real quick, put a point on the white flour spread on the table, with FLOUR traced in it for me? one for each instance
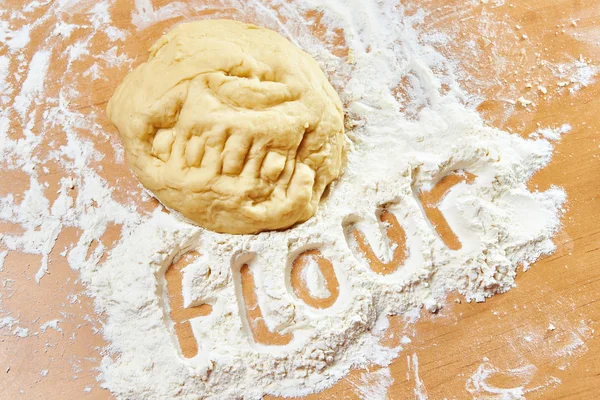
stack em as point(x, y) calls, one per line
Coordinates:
point(393, 154)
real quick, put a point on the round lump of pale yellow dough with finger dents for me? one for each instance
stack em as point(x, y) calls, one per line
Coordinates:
point(232, 126)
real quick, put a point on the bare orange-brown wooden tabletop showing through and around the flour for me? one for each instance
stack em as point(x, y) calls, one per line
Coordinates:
point(546, 325)
